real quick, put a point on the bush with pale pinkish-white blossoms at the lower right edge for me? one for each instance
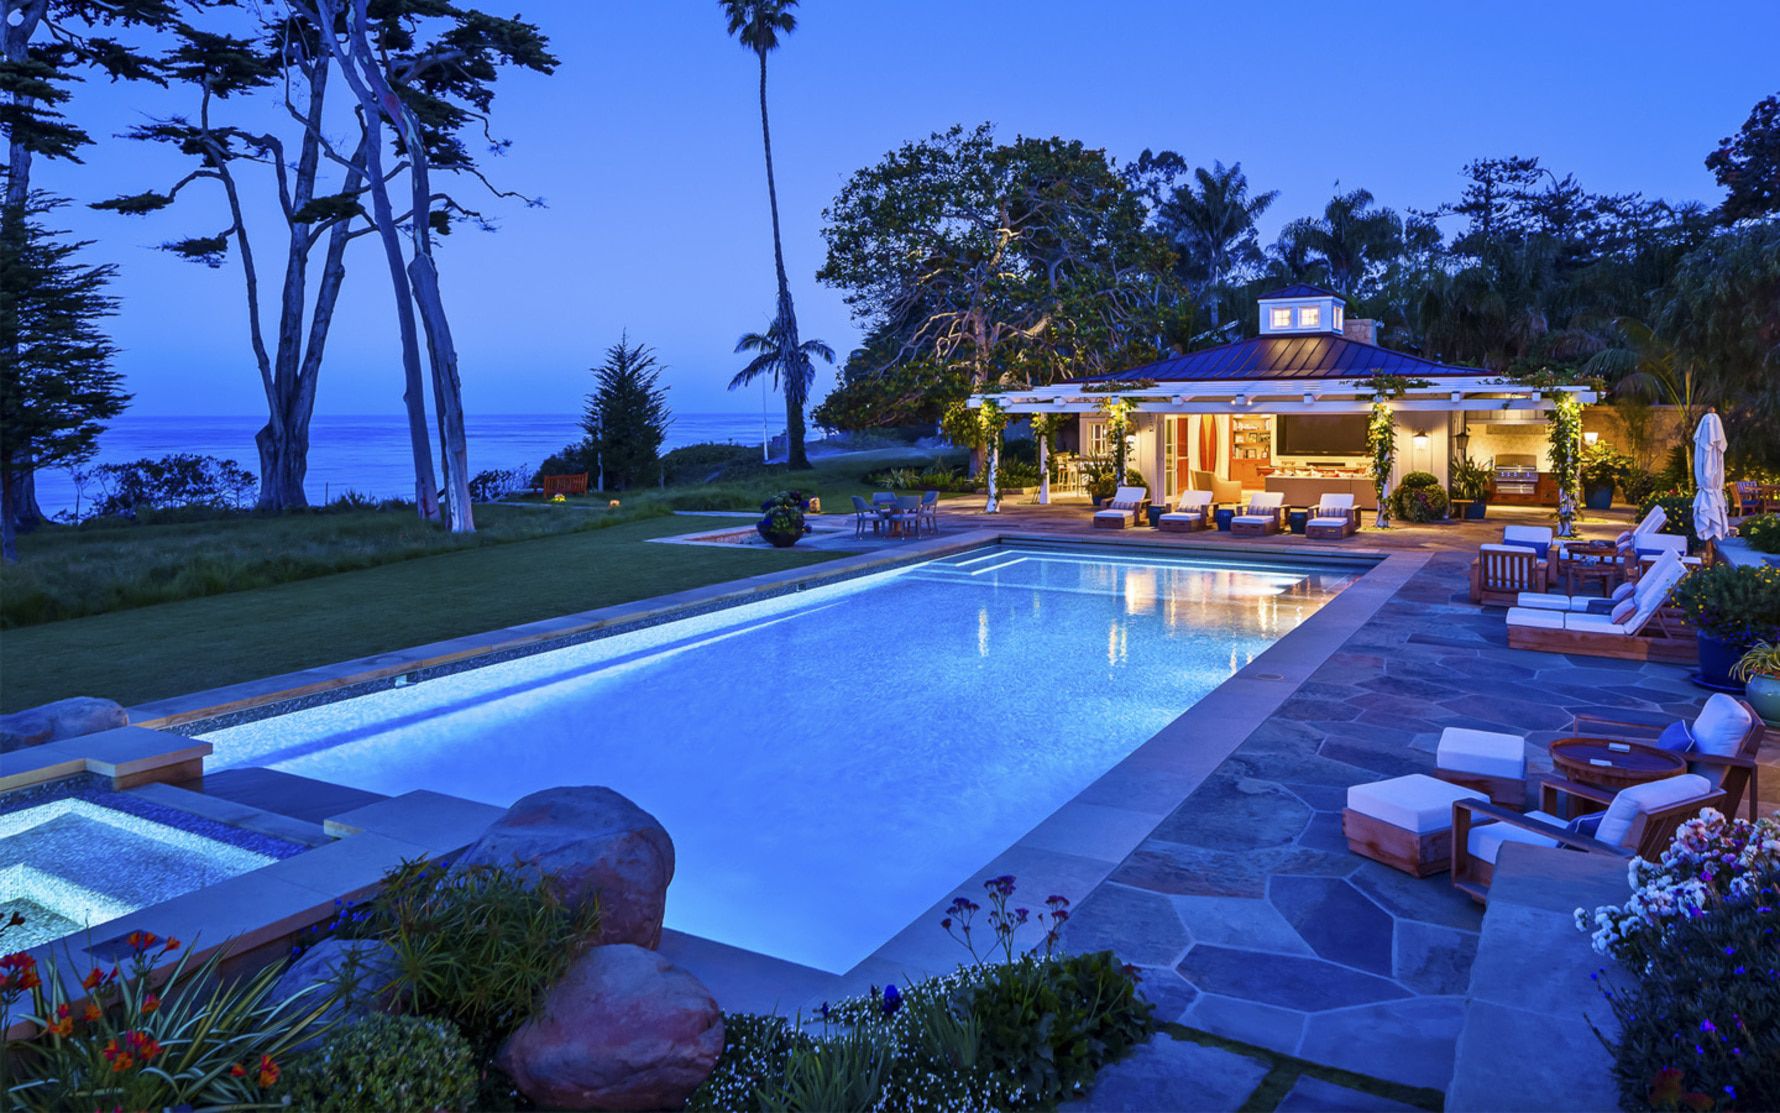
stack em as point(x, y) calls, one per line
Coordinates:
point(1701, 1027)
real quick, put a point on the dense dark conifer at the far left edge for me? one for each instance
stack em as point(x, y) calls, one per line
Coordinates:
point(58, 386)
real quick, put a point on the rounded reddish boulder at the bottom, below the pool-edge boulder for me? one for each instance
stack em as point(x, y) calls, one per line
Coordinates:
point(622, 1030)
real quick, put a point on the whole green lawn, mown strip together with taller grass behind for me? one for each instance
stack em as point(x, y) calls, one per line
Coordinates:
point(273, 605)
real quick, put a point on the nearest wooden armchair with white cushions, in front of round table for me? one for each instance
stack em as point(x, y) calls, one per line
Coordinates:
point(1637, 822)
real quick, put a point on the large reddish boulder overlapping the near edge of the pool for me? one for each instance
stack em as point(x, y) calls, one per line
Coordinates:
point(595, 847)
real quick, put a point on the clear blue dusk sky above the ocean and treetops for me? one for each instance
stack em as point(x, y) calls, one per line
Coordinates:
point(647, 149)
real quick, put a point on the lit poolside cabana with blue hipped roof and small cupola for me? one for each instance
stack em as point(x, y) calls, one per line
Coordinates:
point(1286, 410)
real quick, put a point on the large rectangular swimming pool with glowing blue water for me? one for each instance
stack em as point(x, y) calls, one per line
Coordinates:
point(830, 763)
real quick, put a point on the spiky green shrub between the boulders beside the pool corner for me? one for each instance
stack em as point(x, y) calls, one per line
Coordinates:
point(476, 946)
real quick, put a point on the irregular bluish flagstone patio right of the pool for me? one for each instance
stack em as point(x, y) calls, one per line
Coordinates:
point(1247, 911)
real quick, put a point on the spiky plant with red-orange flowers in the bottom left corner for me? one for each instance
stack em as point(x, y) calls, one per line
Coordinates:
point(129, 1039)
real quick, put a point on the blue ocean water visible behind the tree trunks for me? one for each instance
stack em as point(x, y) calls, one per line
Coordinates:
point(369, 453)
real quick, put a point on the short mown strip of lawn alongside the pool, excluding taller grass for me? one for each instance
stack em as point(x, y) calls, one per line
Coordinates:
point(172, 649)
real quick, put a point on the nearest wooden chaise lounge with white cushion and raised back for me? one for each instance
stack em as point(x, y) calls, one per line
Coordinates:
point(1637, 630)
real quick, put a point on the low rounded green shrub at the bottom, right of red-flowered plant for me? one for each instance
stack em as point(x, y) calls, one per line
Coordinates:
point(398, 1064)
